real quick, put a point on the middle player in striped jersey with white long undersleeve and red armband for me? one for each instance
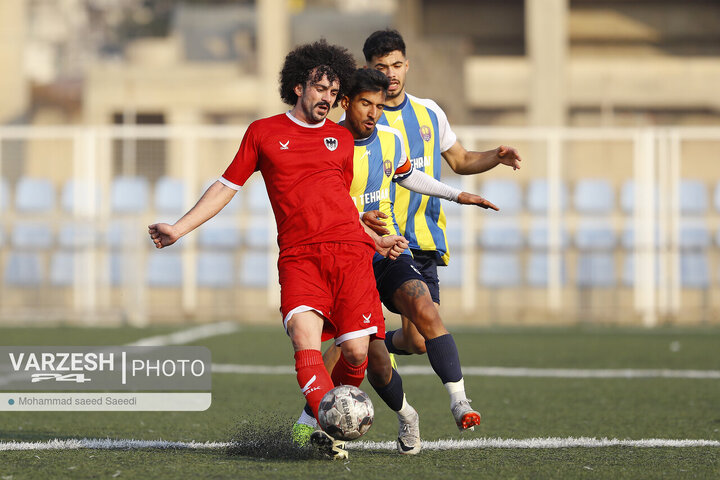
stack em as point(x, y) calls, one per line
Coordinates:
point(379, 164)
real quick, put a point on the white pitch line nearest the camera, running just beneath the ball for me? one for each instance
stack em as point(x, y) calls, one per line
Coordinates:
point(509, 443)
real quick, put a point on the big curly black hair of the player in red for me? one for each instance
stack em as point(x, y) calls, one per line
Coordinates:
point(322, 58)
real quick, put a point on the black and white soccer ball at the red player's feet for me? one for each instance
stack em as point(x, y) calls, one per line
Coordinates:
point(345, 413)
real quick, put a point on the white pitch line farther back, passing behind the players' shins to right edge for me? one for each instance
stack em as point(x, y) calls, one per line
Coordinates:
point(499, 372)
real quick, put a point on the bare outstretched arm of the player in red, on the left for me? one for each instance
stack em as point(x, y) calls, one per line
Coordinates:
point(213, 200)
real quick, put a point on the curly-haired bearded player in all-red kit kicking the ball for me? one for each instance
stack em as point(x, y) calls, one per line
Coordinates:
point(325, 263)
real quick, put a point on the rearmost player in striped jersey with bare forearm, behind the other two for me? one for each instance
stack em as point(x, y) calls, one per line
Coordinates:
point(428, 140)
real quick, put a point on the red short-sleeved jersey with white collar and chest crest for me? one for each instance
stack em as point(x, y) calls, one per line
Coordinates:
point(307, 170)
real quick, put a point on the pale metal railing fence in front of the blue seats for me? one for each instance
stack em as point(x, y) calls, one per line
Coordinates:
point(655, 159)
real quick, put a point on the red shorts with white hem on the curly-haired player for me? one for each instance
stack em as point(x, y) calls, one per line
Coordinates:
point(337, 281)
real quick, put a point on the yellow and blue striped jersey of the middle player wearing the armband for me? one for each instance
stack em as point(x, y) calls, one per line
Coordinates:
point(379, 161)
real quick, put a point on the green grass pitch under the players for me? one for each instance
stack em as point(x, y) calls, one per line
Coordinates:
point(512, 408)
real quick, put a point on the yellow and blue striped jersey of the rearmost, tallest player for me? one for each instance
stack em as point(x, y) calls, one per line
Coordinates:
point(427, 134)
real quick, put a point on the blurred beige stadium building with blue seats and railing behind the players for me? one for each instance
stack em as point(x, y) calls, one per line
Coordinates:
point(119, 112)
